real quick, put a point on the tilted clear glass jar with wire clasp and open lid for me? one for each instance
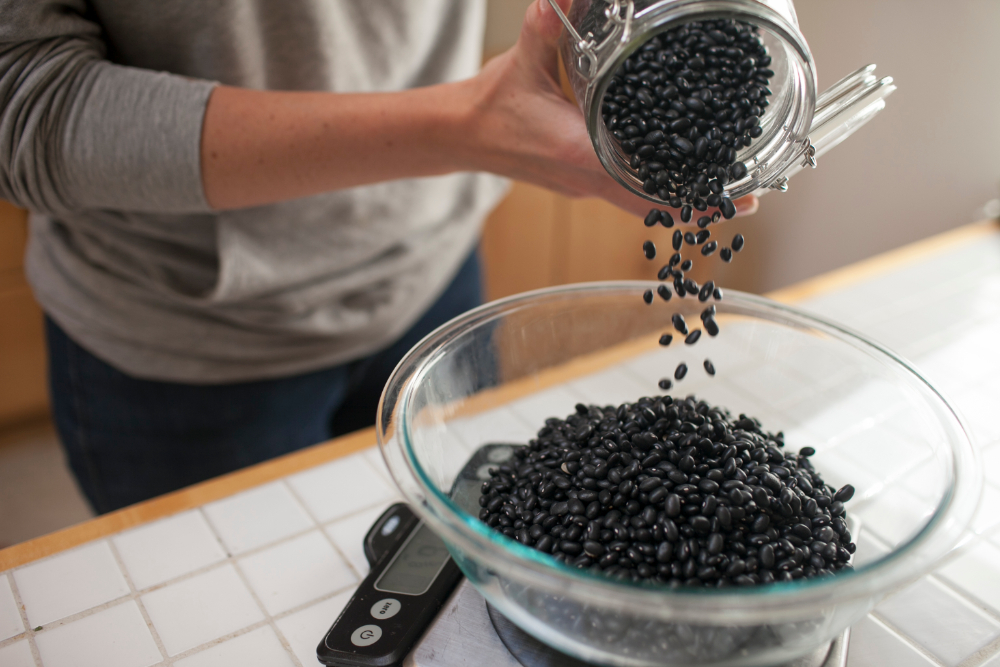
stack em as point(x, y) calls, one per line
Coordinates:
point(797, 126)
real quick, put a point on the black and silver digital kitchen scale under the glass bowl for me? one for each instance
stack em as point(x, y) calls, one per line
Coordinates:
point(411, 591)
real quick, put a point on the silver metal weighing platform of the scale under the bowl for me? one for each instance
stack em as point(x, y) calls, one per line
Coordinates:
point(465, 633)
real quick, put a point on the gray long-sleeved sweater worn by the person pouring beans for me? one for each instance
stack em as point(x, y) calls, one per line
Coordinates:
point(103, 102)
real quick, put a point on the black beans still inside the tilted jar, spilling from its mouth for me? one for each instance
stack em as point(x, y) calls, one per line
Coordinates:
point(684, 104)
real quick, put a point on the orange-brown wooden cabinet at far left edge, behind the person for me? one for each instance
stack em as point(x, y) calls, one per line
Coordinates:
point(23, 392)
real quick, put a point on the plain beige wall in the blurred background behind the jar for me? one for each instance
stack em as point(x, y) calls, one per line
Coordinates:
point(928, 163)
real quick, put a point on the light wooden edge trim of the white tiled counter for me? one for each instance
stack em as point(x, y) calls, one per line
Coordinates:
point(268, 471)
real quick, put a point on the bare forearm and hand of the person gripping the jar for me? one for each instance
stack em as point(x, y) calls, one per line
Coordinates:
point(512, 119)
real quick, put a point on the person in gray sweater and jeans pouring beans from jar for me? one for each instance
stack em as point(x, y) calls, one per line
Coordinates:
point(244, 214)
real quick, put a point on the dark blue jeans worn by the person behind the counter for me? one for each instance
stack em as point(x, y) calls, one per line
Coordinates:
point(129, 439)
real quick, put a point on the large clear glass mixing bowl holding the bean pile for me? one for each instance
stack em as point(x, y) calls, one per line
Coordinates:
point(495, 373)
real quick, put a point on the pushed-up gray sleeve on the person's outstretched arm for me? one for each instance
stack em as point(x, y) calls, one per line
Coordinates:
point(79, 132)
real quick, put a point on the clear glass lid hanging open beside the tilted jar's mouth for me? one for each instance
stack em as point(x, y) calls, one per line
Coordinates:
point(840, 111)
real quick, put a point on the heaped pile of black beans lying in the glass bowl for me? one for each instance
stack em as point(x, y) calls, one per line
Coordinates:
point(670, 491)
